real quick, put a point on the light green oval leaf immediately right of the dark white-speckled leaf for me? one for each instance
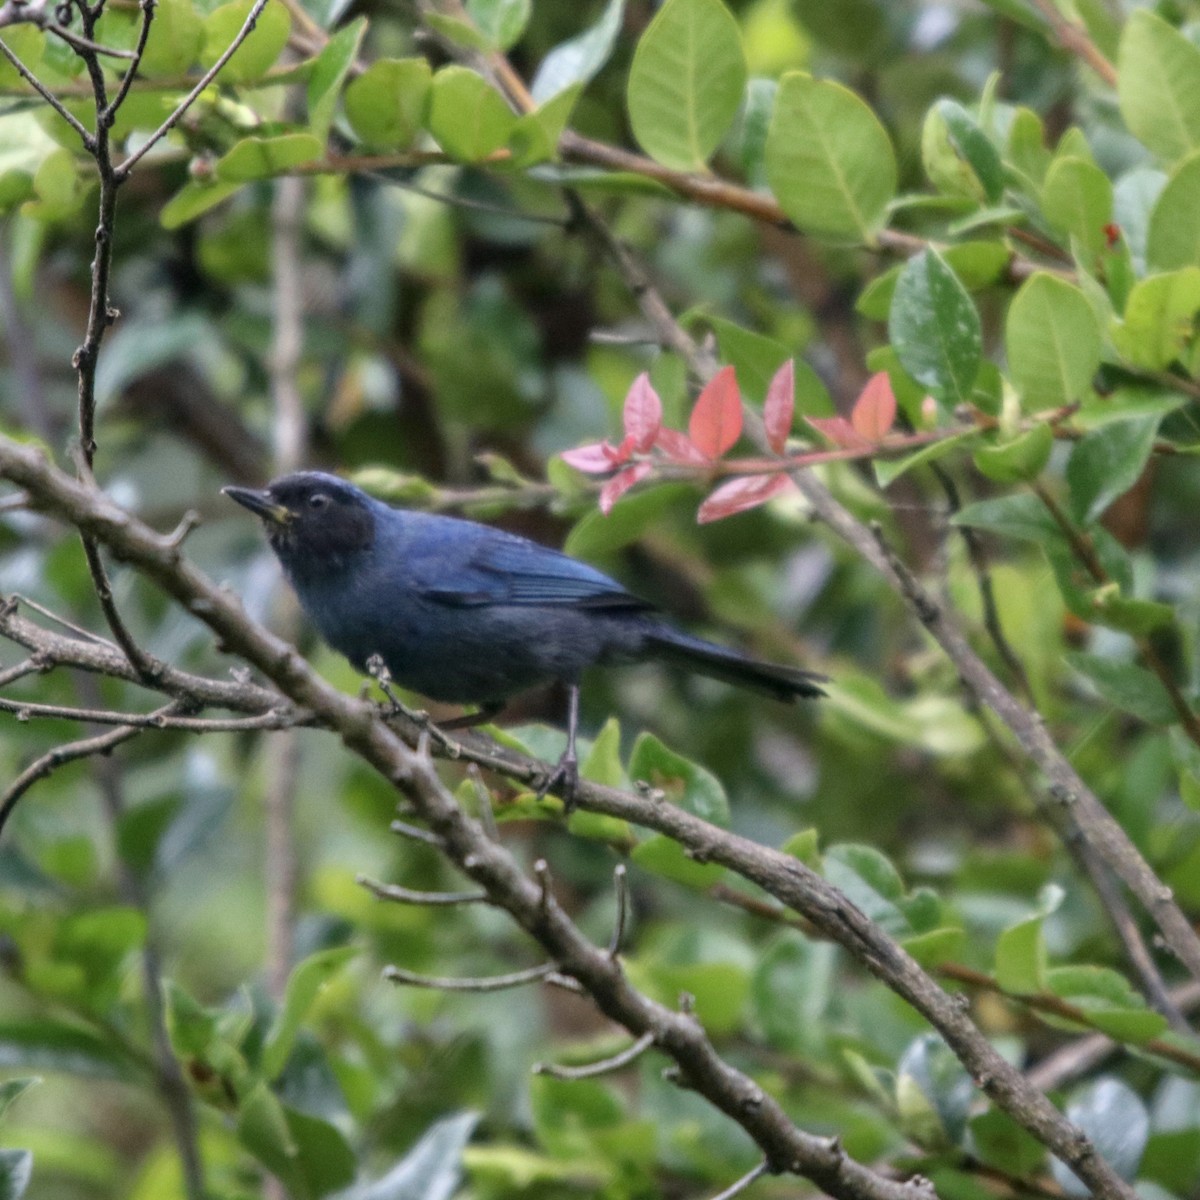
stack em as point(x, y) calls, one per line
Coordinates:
point(1054, 344)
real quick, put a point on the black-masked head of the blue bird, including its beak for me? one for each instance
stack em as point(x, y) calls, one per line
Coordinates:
point(314, 521)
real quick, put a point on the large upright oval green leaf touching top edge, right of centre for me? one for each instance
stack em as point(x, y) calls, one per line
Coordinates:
point(686, 82)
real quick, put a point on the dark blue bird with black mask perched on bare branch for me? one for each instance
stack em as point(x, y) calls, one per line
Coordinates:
point(465, 614)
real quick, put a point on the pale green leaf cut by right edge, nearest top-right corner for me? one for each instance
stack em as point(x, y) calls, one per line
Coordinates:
point(1157, 71)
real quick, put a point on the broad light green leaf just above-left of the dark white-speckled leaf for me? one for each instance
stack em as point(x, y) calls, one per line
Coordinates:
point(830, 161)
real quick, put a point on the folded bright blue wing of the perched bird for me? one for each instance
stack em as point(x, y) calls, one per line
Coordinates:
point(508, 571)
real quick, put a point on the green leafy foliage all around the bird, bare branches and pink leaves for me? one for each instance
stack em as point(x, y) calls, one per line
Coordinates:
point(451, 305)
